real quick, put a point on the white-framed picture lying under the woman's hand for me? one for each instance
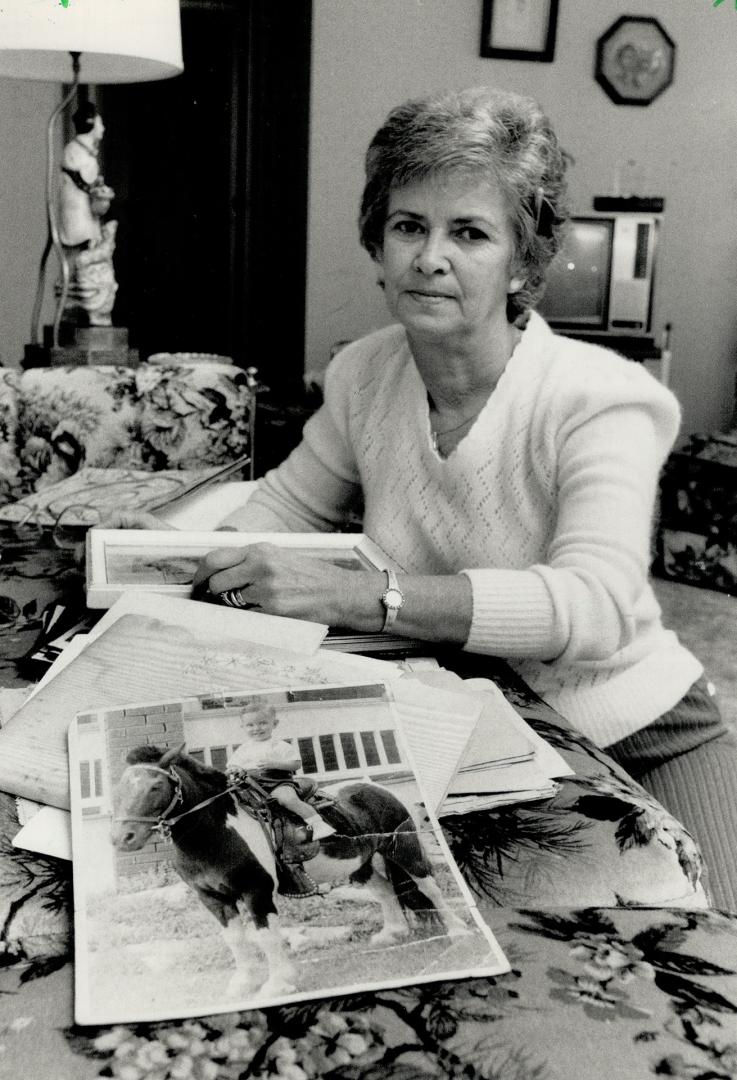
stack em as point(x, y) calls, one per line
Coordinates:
point(124, 561)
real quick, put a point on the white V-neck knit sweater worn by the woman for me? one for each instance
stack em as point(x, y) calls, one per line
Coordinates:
point(546, 506)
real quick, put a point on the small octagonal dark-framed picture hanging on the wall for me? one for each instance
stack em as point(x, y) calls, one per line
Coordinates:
point(636, 60)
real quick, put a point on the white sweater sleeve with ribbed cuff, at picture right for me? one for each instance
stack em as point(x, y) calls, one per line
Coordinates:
point(580, 602)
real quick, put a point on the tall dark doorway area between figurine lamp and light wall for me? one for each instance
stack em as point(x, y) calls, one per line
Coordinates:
point(210, 172)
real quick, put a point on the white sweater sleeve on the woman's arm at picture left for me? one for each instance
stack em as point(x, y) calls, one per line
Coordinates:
point(318, 487)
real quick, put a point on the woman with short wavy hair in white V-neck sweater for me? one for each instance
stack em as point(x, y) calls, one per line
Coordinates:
point(512, 472)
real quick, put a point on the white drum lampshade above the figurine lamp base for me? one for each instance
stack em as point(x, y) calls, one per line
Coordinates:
point(119, 40)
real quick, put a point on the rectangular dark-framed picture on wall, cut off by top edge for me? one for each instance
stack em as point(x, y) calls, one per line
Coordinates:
point(519, 30)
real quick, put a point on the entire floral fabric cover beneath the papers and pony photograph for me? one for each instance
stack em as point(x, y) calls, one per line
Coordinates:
point(619, 969)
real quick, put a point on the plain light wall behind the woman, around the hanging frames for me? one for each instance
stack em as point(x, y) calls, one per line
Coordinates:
point(371, 55)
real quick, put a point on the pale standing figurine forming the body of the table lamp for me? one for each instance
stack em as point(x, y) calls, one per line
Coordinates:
point(88, 244)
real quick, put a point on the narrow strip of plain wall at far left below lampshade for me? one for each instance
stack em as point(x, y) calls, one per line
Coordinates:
point(25, 109)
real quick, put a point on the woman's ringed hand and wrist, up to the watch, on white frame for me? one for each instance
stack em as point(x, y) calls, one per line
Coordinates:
point(280, 582)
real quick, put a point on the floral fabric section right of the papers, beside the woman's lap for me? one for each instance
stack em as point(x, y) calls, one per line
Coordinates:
point(602, 840)
